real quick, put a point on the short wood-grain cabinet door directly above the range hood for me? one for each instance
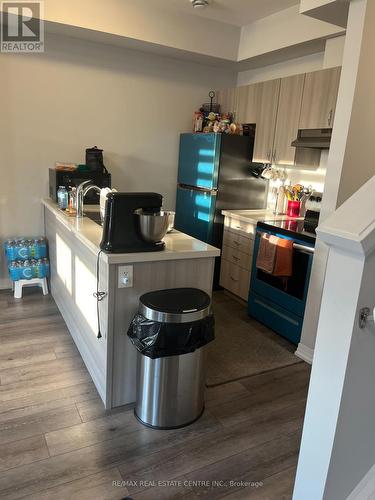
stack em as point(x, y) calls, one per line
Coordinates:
point(319, 98)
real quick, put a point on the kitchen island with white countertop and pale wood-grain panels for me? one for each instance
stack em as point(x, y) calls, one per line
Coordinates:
point(73, 250)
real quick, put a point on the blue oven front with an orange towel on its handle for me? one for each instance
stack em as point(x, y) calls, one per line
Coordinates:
point(279, 302)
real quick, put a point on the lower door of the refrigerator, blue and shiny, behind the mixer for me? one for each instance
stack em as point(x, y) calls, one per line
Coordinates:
point(195, 211)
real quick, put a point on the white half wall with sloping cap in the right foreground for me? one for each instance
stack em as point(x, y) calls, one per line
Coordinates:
point(338, 441)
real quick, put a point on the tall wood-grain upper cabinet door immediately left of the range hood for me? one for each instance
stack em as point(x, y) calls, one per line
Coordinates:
point(288, 114)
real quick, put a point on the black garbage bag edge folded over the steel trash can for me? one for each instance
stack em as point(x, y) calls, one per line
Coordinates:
point(158, 340)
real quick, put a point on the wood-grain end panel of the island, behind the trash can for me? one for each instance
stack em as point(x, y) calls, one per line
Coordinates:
point(148, 276)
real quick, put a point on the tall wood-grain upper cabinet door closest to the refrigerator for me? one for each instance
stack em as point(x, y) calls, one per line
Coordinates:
point(267, 96)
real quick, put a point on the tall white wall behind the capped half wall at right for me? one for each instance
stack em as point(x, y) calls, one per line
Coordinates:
point(344, 174)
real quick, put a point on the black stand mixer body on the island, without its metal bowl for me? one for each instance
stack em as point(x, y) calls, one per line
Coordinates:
point(121, 231)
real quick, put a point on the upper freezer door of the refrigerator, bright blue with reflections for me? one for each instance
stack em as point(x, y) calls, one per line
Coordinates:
point(199, 160)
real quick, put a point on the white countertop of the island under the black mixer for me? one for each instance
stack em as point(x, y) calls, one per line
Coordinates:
point(177, 245)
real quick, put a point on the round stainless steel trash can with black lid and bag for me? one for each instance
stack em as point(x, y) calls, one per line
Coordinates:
point(171, 378)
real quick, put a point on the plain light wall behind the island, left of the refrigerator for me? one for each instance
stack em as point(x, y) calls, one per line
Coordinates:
point(79, 94)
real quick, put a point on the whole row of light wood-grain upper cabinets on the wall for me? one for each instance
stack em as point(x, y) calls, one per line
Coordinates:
point(279, 108)
